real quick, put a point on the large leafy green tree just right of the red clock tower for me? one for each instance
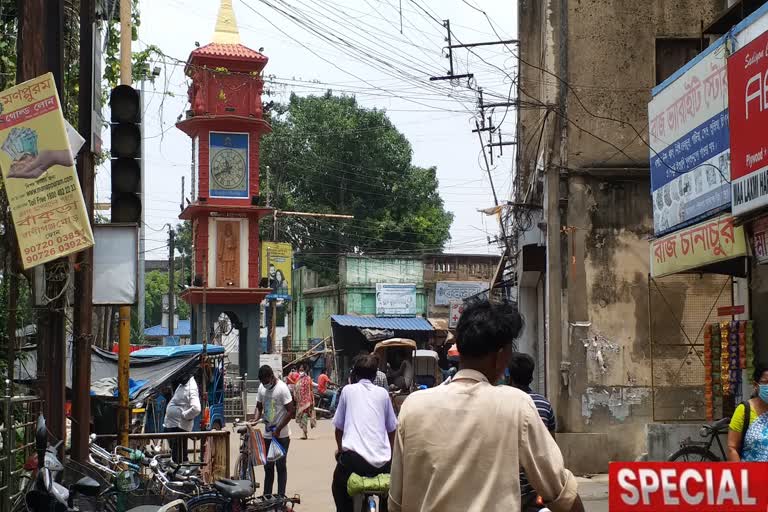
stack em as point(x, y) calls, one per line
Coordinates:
point(327, 154)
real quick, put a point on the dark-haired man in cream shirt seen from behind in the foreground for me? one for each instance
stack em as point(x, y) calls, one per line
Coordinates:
point(458, 447)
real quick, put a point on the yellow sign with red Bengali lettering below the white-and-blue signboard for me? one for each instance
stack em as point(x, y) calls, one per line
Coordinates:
point(709, 242)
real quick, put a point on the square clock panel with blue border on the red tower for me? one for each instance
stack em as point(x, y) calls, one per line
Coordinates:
point(228, 162)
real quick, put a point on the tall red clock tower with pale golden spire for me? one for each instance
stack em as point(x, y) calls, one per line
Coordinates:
point(225, 122)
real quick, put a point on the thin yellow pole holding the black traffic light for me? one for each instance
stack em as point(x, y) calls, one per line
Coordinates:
point(124, 342)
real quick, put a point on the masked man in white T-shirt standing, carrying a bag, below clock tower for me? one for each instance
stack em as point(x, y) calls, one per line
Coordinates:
point(275, 404)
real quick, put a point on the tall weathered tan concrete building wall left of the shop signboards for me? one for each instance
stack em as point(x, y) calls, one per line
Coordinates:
point(600, 58)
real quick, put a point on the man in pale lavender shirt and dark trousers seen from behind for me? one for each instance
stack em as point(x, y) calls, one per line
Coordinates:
point(365, 427)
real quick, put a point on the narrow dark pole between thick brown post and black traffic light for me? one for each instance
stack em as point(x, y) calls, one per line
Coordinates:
point(83, 316)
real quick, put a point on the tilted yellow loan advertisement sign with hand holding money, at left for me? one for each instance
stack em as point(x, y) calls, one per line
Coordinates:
point(39, 175)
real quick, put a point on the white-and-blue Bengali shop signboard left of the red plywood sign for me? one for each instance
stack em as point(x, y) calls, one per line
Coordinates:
point(689, 139)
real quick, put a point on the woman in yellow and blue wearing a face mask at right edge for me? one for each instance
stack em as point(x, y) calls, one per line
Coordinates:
point(748, 430)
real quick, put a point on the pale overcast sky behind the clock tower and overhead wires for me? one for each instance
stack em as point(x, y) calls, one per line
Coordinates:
point(436, 117)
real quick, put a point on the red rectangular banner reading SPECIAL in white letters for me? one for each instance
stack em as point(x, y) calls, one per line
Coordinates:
point(691, 487)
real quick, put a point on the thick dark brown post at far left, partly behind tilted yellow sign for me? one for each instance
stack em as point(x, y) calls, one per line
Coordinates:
point(40, 49)
